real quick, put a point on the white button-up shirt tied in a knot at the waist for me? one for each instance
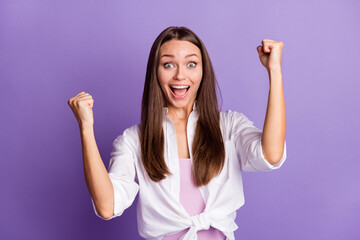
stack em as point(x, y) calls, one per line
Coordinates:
point(159, 211)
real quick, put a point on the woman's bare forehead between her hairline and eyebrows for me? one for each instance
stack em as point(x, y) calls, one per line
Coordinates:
point(179, 48)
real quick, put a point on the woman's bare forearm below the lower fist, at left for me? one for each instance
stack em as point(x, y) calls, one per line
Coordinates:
point(96, 175)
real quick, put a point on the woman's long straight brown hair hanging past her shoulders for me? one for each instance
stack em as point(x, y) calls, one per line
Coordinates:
point(208, 147)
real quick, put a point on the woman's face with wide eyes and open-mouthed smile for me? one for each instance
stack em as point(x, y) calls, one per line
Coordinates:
point(180, 72)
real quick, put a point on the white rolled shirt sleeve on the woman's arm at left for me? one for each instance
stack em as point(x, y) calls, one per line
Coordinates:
point(122, 173)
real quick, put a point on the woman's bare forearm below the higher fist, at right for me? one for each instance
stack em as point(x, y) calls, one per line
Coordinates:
point(274, 129)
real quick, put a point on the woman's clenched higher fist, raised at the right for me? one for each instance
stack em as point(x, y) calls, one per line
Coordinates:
point(270, 54)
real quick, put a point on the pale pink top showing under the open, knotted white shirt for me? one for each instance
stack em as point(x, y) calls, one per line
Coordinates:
point(191, 199)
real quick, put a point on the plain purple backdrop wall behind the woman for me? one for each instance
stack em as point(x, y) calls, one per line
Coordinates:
point(52, 50)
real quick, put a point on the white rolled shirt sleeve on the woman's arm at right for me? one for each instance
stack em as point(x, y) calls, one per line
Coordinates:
point(247, 139)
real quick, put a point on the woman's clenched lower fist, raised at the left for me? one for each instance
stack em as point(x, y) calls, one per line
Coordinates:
point(81, 105)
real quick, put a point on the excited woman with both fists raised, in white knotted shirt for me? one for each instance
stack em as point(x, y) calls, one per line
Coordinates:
point(185, 157)
